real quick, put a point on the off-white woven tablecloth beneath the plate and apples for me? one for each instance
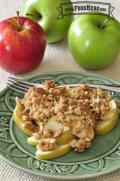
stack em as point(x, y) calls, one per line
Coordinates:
point(57, 58)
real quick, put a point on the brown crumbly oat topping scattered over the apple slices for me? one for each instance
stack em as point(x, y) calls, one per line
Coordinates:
point(77, 109)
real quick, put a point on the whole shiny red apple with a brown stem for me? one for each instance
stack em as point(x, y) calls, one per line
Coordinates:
point(21, 48)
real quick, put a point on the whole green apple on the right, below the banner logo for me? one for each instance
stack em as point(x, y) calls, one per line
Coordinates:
point(91, 46)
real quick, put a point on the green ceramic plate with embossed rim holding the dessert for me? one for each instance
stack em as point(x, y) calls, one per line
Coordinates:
point(103, 157)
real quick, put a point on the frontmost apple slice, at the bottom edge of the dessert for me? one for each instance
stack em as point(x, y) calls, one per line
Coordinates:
point(59, 151)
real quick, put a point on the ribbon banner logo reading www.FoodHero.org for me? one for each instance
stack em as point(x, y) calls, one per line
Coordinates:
point(83, 7)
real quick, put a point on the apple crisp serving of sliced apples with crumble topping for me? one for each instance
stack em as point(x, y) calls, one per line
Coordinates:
point(59, 116)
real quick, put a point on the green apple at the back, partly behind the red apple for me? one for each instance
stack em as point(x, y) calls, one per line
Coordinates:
point(56, 29)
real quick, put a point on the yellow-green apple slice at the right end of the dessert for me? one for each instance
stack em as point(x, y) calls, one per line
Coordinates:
point(109, 120)
